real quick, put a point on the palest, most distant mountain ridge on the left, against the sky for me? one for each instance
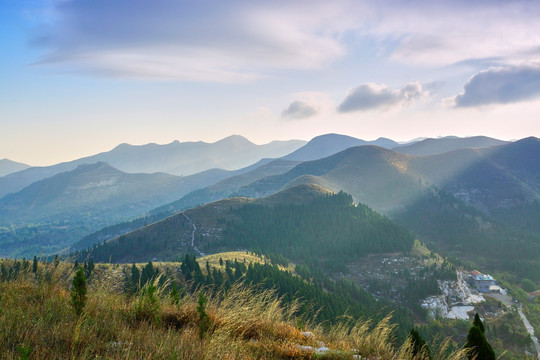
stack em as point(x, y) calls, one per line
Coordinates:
point(177, 158)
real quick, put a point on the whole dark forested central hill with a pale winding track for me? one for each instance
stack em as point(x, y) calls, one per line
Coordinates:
point(298, 223)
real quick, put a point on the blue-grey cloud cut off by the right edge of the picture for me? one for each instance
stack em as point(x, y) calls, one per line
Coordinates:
point(501, 86)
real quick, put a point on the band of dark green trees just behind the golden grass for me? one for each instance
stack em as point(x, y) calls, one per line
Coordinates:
point(321, 299)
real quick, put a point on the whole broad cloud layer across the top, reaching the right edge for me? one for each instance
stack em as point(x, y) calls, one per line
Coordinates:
point(242, 40)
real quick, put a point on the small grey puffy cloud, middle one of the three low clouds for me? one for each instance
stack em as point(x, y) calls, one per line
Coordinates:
point(372, 96)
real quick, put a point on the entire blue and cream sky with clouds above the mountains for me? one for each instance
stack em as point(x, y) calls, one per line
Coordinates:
point(78, 77)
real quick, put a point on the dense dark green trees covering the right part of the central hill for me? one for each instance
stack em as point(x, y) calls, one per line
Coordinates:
point(330, 227)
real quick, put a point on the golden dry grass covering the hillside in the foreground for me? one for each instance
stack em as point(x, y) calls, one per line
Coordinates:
point(37, 321)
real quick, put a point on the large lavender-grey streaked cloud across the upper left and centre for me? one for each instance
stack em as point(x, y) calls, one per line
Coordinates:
point(197, 41)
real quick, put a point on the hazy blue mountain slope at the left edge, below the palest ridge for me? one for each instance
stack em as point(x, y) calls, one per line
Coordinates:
point(55, 212)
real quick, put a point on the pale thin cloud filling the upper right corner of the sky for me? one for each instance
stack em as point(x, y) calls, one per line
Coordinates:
point(439, 33)
